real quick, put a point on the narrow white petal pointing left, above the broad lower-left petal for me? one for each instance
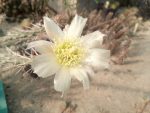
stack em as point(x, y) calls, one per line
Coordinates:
point(41, 46)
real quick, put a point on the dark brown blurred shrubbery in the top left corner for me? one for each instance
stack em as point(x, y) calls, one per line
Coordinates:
point(18, 9)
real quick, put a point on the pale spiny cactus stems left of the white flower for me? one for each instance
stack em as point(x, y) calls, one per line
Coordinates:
point(13, 53)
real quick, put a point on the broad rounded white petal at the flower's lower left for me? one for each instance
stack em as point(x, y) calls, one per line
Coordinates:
point(45, 65)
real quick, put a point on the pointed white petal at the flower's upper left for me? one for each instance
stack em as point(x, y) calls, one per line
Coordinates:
point(52, 29)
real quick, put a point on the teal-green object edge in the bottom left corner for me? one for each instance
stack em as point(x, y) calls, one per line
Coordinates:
point(3, 105)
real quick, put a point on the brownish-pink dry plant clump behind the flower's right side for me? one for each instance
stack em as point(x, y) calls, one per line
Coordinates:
point(117, 29)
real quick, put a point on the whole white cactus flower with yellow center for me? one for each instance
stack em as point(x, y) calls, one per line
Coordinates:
point(69, 55)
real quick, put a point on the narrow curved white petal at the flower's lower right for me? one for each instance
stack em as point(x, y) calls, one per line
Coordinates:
point(81, 74)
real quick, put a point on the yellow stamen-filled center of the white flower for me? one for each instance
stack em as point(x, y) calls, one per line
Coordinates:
point(69, 53)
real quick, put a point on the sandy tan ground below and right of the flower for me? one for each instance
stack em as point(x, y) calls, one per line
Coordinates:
point(121, 89)
